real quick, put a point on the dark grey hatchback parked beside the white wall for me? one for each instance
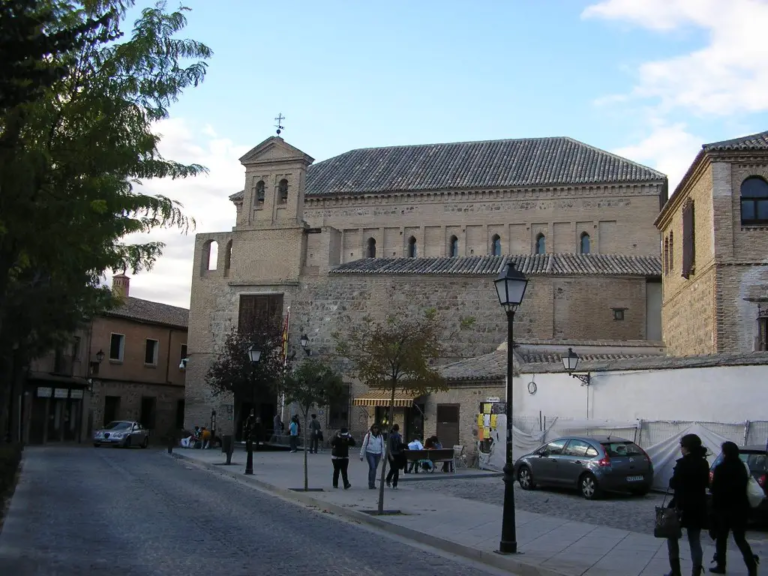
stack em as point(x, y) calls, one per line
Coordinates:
point(591, 464)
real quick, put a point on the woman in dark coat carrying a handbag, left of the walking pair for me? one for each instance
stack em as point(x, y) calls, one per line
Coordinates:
point(689, 483)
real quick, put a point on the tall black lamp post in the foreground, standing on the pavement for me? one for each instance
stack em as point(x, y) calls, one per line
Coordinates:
point(510, 288)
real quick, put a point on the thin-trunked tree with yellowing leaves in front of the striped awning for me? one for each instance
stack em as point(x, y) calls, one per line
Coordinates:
point(396, 355)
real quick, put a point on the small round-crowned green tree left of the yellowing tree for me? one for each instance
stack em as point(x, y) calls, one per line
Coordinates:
point(311, 384)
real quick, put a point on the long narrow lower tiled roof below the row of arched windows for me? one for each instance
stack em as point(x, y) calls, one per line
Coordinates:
point(530, 265)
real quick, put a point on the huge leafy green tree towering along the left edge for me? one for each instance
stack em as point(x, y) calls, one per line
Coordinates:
point(76, 143)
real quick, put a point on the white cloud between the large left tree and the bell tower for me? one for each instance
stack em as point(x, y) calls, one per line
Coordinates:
point(205, 198)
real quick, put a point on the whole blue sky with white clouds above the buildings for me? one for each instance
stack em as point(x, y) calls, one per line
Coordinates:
point(650, 80)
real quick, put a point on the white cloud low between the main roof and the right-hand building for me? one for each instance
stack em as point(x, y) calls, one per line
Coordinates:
point(670, 148)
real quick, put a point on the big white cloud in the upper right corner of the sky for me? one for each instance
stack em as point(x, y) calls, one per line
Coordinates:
point(727, 76)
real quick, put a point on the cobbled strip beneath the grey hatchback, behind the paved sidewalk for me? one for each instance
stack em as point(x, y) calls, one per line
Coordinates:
point(615, 510)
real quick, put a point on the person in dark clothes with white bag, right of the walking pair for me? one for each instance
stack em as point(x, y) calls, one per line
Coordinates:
point(730, 506)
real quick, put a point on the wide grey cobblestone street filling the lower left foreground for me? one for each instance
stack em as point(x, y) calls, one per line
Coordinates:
point(99, 512)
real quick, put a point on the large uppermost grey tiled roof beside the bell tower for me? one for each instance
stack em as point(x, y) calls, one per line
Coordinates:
point(462, 165)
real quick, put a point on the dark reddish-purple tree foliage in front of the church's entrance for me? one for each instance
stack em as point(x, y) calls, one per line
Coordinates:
point(233, 372)
